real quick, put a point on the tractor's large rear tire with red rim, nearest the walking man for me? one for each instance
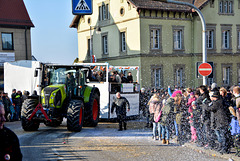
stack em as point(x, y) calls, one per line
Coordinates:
point(92, 111)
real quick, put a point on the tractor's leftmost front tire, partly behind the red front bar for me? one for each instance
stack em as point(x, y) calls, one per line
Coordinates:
point(27, 109)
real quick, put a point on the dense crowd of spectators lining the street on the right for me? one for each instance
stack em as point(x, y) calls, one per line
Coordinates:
point(206, 116)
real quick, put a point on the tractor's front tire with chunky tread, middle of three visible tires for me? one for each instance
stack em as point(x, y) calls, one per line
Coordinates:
point(75, 114)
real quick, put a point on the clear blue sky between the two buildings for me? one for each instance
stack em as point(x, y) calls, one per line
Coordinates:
point(52, 39)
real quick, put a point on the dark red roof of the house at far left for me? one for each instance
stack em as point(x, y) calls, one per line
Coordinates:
point(14, 13)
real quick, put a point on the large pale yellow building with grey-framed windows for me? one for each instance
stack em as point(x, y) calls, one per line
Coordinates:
point(163, 39)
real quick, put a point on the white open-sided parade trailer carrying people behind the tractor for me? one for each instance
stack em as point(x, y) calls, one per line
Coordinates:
point(107, 93)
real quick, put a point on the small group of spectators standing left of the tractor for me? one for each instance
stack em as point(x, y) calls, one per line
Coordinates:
point(13, 104)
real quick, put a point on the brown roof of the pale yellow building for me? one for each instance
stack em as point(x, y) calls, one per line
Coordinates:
point(156, 5)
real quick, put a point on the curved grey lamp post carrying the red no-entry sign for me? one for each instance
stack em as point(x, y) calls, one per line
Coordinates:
point(204, 49)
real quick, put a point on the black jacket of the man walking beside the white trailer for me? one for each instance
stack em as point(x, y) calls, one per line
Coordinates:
point(121, 104)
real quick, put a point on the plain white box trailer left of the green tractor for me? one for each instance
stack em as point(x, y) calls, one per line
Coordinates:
point(19, 75)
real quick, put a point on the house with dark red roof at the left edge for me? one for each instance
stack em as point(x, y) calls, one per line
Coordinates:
point(15, 36)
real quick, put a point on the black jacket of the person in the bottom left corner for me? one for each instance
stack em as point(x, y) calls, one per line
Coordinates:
point(9, 145)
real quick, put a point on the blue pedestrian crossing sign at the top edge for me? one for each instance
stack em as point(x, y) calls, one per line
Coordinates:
point(82, 7)
